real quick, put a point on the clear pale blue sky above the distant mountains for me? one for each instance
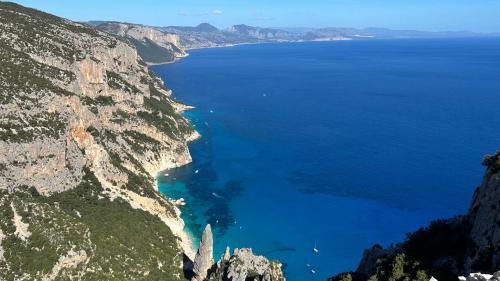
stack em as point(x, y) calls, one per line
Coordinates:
point(474, 15)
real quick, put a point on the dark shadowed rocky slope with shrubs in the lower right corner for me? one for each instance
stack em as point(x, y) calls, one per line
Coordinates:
point(446, 248)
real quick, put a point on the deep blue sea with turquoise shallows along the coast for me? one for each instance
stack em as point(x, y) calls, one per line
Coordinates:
point(335, 144)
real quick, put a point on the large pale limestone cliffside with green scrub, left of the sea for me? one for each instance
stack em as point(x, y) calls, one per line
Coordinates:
point(84, 128)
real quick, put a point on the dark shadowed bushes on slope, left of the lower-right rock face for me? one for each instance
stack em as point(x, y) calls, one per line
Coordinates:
point(438, 250)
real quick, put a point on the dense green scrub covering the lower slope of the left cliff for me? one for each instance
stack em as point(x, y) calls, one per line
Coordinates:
point(122, 243)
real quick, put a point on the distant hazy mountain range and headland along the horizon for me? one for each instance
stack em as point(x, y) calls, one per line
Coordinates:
point(165, 44)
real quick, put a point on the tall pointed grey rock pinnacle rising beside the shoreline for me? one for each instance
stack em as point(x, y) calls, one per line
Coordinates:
point(203, 261)
